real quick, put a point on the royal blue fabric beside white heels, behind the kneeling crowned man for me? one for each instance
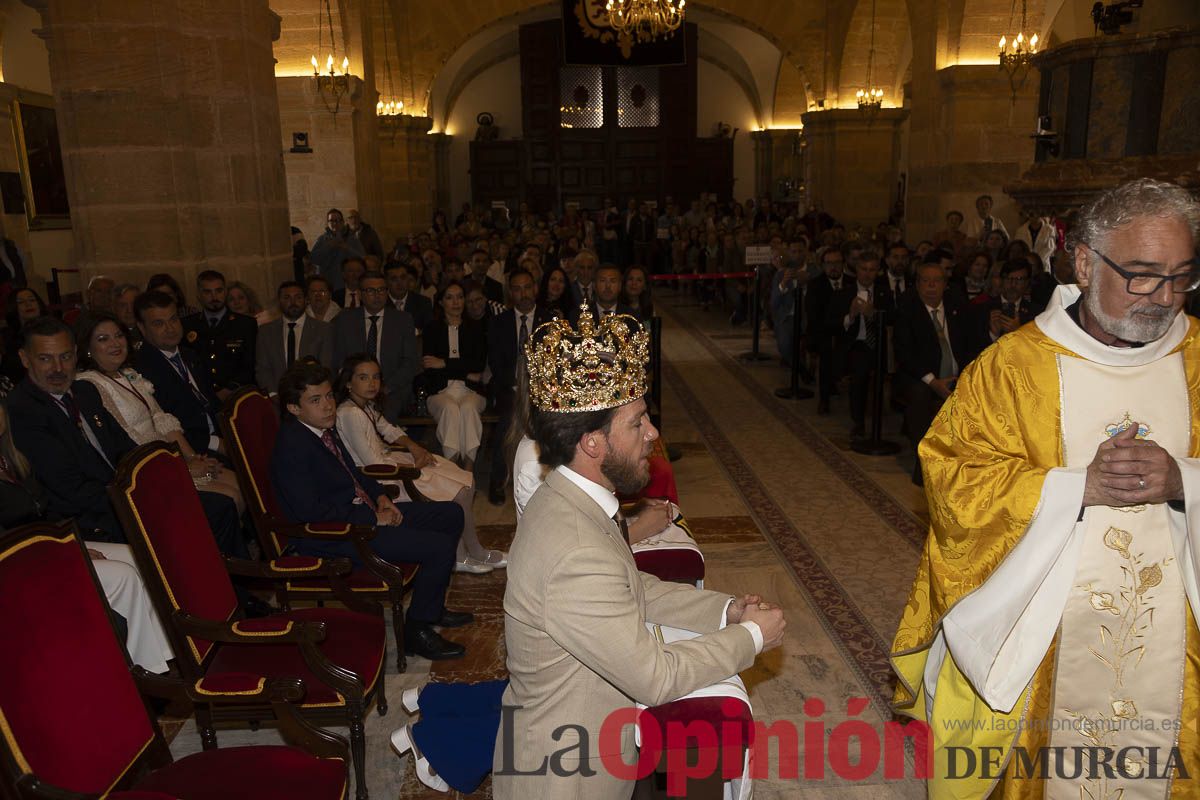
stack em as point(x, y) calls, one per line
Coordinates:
point(458, 731)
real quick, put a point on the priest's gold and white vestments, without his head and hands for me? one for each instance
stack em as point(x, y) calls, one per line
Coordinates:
point(999, 461)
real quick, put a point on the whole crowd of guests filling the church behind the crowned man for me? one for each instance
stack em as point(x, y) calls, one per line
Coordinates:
point(365, 346)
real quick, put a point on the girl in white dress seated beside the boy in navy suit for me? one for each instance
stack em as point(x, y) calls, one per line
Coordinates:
point(373, 440)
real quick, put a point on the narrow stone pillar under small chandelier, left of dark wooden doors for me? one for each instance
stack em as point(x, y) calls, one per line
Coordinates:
point(410, 175)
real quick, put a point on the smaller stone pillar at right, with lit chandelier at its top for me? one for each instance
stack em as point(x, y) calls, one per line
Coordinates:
point(854, 163)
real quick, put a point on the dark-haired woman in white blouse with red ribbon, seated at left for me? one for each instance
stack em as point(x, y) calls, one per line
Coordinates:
point(104, 352)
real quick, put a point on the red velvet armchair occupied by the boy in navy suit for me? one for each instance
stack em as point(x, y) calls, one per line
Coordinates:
point(250, 424)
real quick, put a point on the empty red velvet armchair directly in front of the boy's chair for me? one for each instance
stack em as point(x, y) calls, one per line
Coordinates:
point(339, 654)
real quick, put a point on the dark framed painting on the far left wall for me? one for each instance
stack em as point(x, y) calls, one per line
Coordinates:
point(37, 133)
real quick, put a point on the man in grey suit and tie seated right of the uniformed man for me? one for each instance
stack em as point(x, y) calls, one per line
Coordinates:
point(295, 335)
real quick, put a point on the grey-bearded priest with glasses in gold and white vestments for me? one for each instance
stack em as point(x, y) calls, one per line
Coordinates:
point(1051, 639)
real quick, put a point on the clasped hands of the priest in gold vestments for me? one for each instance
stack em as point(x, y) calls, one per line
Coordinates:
point(1132, 472)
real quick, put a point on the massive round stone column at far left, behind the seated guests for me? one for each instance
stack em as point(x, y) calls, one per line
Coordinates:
point(170, 127)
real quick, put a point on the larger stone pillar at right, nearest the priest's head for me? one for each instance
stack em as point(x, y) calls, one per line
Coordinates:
point(970, 139)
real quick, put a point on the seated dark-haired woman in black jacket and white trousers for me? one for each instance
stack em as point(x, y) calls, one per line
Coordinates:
point(455, 358)
